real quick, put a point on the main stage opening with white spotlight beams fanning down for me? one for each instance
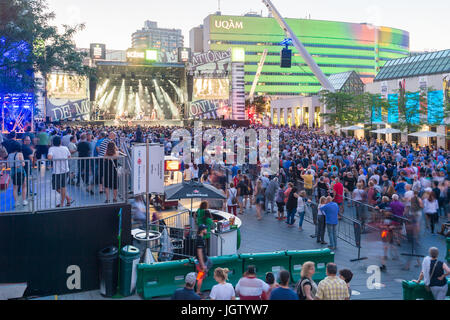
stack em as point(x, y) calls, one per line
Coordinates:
point(126, 92)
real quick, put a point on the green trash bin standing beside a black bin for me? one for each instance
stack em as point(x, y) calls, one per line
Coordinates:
point(129, 259)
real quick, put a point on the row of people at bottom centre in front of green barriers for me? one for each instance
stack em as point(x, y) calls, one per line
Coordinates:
point(336, 286)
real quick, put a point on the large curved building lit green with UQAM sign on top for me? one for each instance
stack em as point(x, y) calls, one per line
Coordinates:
point(335, 46)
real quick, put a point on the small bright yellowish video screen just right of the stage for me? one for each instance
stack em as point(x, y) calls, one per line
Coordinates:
point(211, 89)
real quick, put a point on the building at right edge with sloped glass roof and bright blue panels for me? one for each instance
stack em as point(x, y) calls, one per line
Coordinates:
point(426, 75)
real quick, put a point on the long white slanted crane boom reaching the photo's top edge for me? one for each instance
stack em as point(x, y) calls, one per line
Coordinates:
point(299, 46)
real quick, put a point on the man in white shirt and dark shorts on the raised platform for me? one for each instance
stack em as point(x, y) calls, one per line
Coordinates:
point(60, 155)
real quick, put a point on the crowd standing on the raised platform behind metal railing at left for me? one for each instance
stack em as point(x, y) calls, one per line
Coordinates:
point(82, 157)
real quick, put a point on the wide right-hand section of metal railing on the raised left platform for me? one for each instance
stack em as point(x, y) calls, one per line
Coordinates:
point(80, 182)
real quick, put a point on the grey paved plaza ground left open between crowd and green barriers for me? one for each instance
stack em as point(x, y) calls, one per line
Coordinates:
point(270, 235)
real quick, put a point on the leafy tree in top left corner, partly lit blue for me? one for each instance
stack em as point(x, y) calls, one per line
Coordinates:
point(30, 45)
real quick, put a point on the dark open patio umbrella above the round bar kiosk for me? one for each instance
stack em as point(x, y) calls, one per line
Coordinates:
point(193, 190)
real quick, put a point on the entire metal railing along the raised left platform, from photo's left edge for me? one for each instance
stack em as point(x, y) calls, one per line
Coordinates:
point(54, 184)
